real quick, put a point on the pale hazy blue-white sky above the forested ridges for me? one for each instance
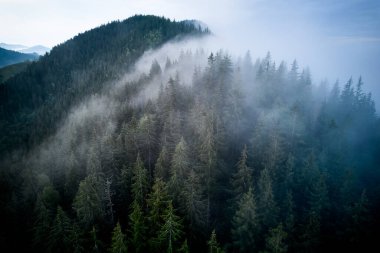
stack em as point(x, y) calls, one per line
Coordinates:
point(335, 38)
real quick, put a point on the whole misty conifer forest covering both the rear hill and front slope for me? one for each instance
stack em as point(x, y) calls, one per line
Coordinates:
point(118, 142)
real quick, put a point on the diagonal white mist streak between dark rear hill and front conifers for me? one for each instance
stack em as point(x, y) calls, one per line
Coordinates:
point(96, 117)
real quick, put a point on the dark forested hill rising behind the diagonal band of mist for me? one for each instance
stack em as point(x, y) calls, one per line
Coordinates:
point(33, 102)
